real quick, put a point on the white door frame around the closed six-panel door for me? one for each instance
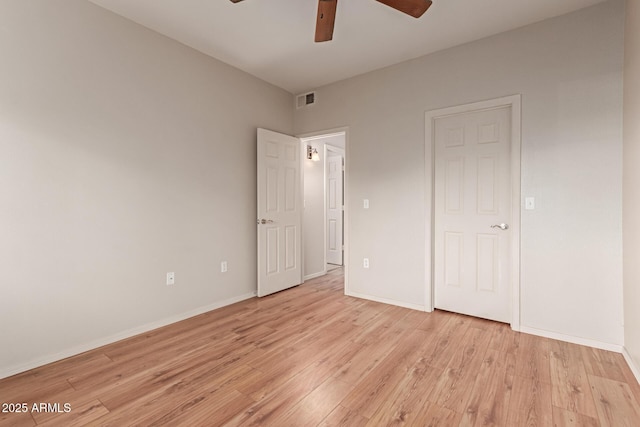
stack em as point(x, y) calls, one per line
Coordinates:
point(514, 102)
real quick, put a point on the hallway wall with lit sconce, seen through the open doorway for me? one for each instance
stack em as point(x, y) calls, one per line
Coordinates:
point(314, 206)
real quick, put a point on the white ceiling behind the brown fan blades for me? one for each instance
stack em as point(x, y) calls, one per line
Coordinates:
point(273, 39)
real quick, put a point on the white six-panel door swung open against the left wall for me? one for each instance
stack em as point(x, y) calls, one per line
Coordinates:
point(279, 212)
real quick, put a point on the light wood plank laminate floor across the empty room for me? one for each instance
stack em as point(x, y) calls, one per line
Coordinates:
point(311, 356)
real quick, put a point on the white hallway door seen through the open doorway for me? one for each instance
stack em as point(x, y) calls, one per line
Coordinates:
point(334, 207)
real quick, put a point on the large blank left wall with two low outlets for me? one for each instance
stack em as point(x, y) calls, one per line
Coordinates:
point(125, 155)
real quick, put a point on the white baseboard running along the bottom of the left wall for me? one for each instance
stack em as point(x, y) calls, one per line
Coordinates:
point(16, 369)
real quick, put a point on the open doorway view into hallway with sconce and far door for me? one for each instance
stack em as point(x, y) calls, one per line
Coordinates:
point(324, 226)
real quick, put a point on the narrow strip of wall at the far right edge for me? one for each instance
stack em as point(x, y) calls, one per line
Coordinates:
point(631, 187)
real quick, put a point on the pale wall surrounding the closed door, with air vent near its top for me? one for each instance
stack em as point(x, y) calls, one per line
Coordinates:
point(569, 72)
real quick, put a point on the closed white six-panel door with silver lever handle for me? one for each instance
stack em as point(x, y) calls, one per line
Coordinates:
point(472, 213)
